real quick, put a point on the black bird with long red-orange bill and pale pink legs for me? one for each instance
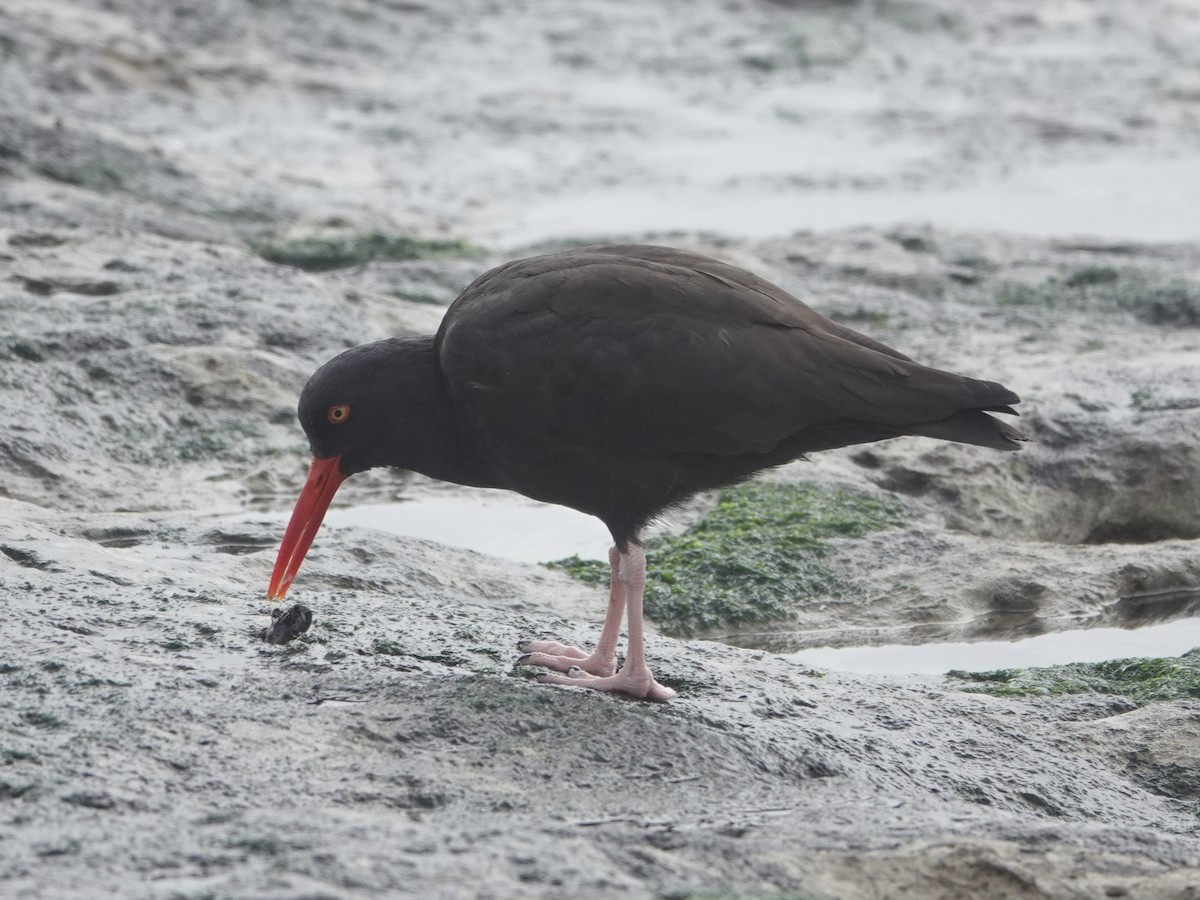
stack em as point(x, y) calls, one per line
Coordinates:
point(619, 381)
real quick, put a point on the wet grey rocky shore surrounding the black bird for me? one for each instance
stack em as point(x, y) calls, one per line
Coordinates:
point(992, 175)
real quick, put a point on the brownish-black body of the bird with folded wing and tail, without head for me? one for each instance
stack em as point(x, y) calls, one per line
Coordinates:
point(650, 365)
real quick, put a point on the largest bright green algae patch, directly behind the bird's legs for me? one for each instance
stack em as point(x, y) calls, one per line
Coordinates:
point(752, 560)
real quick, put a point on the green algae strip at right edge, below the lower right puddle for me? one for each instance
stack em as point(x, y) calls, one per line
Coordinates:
point(1139, 680)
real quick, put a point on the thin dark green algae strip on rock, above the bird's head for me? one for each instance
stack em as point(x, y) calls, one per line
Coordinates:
point(320, 255)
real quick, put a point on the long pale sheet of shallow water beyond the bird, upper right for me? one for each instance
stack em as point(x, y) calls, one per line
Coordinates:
point(1136, 200)
